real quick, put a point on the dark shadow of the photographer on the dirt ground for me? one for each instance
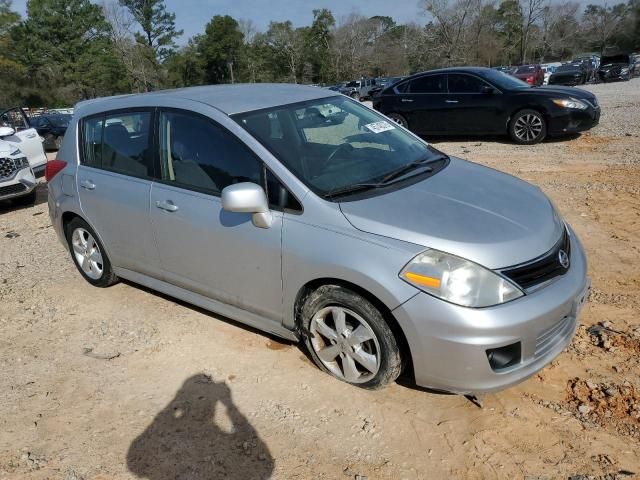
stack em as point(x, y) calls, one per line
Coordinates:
point(200, 434)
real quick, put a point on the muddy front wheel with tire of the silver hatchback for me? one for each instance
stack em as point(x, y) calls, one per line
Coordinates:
point(370, 358)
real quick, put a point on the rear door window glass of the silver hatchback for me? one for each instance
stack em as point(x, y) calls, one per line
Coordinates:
point(120, 143)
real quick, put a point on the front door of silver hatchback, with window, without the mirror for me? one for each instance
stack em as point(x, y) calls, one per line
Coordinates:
point(203, 248)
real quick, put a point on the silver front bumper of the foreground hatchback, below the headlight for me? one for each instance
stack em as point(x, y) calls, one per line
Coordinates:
point(449, 343)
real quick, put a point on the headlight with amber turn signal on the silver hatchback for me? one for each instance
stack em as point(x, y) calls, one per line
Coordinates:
point(457, 280)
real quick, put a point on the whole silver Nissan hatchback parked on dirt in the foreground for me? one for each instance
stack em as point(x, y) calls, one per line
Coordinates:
point(310, 216)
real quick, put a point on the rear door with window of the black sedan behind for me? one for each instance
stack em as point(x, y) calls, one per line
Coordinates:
point(422, 102)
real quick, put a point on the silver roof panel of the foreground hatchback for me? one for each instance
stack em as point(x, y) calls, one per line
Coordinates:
point(230, 99)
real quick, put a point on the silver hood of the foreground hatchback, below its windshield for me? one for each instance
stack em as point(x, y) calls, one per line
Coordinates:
point(475, 212)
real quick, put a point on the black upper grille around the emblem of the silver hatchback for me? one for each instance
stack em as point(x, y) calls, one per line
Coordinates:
point(543, 268)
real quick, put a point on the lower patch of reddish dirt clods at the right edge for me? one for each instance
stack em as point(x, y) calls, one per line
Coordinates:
point(606, 405)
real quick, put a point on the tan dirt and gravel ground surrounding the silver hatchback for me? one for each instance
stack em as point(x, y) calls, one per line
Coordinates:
point(123, 383)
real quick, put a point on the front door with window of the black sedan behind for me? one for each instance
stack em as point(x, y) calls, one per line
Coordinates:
point(470, 109)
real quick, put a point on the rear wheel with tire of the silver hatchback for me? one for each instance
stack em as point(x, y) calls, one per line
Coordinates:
point(83, 242)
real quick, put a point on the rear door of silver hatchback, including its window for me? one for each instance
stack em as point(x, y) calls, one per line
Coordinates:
point(114, 184)
